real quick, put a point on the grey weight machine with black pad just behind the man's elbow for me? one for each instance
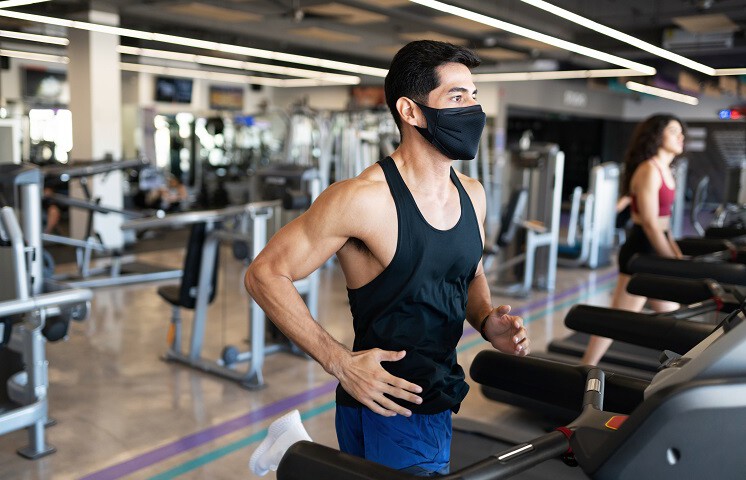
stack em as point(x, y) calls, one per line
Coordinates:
point(246, 226)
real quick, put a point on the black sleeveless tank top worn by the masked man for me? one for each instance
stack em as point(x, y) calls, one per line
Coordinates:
point(418, 302)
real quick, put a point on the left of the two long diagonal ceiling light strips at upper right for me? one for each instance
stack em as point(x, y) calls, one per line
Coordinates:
point(532, 34)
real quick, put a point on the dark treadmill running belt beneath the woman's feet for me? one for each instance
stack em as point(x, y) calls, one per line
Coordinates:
point(619, 353)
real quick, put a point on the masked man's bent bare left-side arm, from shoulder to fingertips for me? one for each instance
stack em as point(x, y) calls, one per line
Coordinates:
point(295, 252)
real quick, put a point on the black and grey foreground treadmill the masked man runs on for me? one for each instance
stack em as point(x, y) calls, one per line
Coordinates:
point(685, 423)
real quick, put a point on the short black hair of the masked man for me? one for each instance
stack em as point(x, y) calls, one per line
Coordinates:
point(412, 73)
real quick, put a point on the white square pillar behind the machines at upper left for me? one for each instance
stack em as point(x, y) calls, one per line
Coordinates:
point(96, 104)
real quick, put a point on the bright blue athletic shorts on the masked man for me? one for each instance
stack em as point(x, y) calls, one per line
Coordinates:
point(420, 444)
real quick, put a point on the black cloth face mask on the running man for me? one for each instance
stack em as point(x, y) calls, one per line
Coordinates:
point(454, 131)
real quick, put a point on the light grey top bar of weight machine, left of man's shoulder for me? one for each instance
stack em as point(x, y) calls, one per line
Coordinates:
point(203, 216)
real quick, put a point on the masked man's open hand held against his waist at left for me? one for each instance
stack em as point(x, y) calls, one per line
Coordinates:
point(363, 377)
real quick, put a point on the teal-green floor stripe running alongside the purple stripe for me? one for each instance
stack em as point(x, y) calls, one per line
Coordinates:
point(258, 436)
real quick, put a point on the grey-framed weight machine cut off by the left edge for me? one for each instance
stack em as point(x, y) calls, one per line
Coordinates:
point(32, 309)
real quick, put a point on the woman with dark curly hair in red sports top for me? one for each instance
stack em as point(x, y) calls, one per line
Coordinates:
point(649, 183)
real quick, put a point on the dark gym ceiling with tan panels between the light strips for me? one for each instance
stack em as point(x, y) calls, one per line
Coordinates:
point(369, 32)
